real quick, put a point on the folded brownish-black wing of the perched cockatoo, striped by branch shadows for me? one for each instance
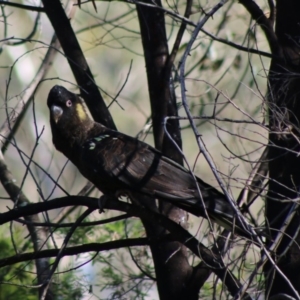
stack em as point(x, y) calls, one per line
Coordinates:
point(140, 167)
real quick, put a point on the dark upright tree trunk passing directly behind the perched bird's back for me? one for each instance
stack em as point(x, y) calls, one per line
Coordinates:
point(172, 268)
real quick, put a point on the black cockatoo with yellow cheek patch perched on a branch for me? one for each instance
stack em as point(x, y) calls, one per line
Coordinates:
point(116, 162)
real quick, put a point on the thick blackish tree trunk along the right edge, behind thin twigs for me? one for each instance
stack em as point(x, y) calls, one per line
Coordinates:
point(284, 146)
